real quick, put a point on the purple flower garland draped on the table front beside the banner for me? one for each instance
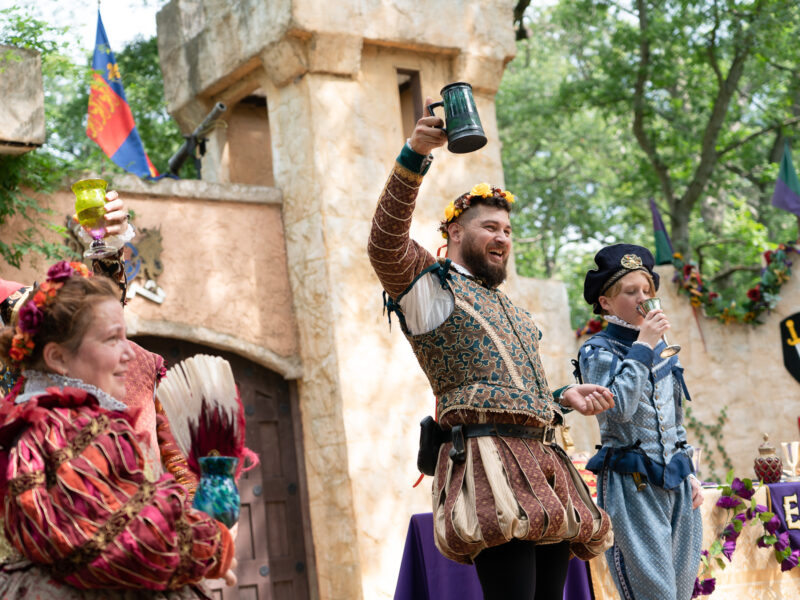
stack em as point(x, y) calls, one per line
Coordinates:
point(737, 498)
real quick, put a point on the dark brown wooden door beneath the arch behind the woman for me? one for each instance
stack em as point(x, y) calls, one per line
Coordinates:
point(273, 545)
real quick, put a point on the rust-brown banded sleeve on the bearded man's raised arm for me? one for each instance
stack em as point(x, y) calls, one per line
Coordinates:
point(395, 257)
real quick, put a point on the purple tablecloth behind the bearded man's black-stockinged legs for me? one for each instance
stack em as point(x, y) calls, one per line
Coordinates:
point(427, 575)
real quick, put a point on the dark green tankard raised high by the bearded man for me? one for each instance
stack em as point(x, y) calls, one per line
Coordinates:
point(462, 123)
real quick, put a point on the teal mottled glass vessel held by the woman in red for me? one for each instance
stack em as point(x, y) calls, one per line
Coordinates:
point(217, 494)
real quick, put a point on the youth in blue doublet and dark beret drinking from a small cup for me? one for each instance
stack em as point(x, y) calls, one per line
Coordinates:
point(644, 467)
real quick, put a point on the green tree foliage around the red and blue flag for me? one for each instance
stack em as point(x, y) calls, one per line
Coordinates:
point(68, 151)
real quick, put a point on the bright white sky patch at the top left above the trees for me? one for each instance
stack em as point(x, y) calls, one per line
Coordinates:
point(122, 19)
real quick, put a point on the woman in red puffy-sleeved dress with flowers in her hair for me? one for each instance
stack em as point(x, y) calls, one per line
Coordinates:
point(80, 512)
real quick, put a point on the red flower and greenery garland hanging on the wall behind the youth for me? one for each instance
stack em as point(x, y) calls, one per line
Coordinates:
point(761, 298)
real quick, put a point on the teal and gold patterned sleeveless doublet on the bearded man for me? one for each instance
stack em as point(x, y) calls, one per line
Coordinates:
point(483, 361)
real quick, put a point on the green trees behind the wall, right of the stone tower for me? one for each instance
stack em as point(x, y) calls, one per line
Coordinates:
point(609, 104)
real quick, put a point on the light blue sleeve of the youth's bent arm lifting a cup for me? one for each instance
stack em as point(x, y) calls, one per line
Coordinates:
point(629, 382)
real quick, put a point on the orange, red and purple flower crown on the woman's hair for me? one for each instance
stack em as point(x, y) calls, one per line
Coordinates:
point(31, 317)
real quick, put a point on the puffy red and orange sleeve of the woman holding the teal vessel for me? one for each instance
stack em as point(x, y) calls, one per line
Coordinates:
point(77, 501)
